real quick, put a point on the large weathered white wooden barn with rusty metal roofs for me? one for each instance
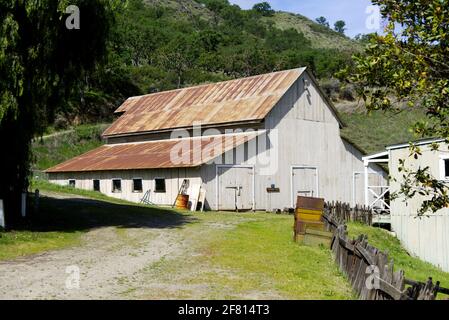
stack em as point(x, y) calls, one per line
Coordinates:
point(251, 144)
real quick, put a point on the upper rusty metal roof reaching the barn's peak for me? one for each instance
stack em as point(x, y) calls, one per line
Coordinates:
point(246, 99)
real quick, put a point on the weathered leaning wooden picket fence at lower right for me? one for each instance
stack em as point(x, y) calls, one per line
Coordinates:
point(370, 270)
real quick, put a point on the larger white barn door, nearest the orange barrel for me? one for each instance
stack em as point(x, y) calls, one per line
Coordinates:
point(235, 188)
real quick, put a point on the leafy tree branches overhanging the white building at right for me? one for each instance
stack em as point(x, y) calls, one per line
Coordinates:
point(408, 66)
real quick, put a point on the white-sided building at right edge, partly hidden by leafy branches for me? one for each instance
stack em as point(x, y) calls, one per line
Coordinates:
point(426, 237)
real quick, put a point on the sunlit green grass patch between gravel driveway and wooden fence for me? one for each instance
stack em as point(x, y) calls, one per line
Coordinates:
point(263, 252)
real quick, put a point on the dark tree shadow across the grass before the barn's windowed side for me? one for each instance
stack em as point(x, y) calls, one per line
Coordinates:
point(75, 214)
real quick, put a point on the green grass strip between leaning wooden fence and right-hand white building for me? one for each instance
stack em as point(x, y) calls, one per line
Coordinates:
point(414, 268)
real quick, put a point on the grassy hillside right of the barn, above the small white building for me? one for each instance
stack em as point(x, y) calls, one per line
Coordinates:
point(372, 132)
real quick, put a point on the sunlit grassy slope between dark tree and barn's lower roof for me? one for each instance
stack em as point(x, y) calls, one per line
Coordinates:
point(53, 150)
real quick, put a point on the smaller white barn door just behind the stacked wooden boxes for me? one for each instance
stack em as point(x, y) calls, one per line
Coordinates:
point(304, 182)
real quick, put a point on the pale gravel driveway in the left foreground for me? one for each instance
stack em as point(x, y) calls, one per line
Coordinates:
point(105, 261)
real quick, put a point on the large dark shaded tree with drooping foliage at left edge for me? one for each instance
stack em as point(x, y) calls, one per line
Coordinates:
point(41, 62)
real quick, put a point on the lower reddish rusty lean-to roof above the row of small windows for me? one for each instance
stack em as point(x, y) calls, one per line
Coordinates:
point(155, 154)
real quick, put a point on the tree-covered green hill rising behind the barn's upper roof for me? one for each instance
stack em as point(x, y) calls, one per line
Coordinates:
point(159, 45)
